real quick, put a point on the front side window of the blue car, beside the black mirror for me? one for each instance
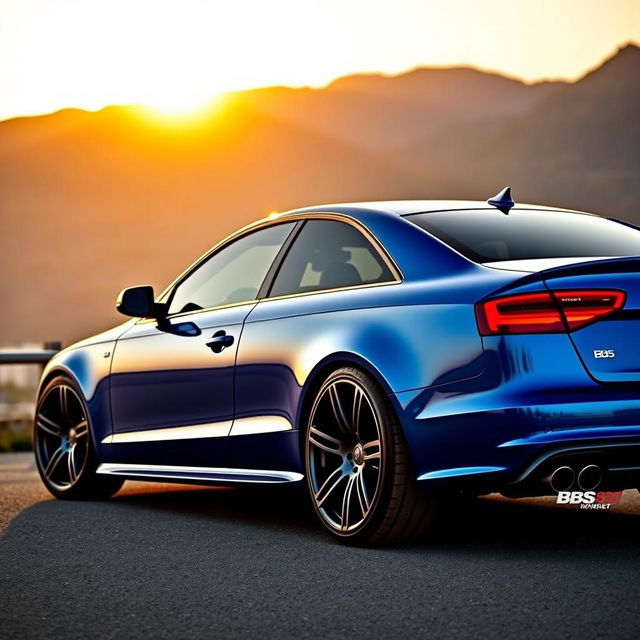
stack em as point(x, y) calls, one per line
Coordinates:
point(233, 274)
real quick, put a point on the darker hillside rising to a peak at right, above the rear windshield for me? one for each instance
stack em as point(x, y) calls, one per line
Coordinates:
point(579, 147)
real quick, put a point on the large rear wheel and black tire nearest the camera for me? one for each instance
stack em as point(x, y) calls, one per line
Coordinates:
point(350, 414)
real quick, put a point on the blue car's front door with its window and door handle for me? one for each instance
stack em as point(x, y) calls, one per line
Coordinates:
point(172, 381)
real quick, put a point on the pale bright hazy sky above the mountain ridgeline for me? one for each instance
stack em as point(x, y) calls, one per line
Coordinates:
point(177, 54)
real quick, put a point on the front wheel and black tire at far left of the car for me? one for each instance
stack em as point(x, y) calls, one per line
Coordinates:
point(63, 445)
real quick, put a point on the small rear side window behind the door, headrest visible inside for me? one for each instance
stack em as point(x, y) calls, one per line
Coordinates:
point(328, 254)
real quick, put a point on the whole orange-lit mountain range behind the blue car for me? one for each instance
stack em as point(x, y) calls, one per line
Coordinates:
point(93, 202)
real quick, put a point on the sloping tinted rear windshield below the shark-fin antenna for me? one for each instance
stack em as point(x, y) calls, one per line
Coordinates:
point(488, 235)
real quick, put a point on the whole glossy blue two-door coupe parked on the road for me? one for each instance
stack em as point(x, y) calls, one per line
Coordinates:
point(387, 354)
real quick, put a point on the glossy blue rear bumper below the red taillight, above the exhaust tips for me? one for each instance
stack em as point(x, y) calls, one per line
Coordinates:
point(533, 401)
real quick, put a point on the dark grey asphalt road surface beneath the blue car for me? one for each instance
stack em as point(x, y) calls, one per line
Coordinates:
point(168, 561)
